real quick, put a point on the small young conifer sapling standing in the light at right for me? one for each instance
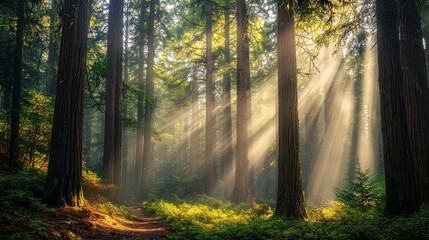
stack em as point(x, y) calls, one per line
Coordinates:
point(364, 191)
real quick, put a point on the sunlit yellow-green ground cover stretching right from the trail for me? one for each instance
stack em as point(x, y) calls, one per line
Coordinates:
point(208, 218)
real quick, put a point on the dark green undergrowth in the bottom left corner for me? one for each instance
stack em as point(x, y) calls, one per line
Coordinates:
point(22, 210)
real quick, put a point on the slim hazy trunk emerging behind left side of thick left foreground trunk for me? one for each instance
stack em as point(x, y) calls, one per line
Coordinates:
point(53, 49)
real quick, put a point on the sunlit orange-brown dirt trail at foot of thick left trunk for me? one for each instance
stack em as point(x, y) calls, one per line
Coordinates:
point(89, 223)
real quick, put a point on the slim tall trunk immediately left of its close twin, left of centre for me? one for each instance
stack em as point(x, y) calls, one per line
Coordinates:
point(140, 102)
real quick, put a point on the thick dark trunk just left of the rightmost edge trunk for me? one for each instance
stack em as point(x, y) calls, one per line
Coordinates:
point(401, 190)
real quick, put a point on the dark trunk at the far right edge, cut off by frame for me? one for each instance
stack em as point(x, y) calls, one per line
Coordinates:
point(413, 64)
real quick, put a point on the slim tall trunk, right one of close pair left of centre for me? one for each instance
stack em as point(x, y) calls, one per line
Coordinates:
point(149, 103)
